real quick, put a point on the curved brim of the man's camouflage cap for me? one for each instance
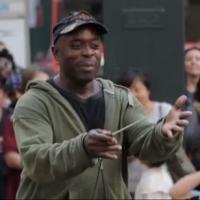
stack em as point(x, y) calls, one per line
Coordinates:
point(100, 27)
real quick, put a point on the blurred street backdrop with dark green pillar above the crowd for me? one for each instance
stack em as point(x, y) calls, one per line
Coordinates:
point(149, 34)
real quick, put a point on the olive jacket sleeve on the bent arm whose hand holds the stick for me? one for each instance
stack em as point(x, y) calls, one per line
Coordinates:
point(43, 160)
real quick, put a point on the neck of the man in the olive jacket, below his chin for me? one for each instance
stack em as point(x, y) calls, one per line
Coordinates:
point(82, 90)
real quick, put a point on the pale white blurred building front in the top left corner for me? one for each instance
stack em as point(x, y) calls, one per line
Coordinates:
point(14, 32)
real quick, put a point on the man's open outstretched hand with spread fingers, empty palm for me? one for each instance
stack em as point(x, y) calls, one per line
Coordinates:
point(177, 119)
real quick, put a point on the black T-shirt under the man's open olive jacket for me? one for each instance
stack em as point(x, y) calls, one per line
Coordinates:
point(91, 110)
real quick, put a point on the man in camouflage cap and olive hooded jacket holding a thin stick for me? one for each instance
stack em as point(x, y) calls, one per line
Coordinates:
point(66, 127)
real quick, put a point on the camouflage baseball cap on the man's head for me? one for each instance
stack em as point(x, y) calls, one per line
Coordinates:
point(74, 20)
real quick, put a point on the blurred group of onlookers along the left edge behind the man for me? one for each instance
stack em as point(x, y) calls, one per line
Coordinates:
point(13, 82)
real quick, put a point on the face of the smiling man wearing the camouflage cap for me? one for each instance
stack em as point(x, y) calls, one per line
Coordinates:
point(79, 54)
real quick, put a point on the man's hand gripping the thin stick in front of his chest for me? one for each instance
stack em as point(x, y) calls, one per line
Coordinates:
point(100, 143)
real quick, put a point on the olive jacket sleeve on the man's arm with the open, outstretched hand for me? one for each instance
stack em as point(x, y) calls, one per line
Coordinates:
point(145, 139)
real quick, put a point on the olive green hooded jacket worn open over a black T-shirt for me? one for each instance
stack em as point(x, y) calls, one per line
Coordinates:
point(50, 136)
